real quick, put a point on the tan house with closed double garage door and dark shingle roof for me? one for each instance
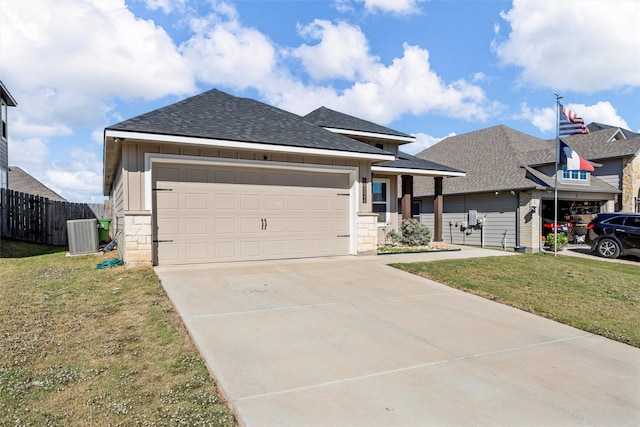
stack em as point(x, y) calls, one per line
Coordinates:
point(220, 178)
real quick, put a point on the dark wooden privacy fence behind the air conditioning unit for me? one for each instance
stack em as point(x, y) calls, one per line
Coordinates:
point(38, 219)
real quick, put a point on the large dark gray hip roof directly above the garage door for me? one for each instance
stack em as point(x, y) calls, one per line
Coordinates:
point(218, 115)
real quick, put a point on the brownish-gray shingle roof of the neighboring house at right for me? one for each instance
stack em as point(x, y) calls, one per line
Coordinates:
point(500, 159)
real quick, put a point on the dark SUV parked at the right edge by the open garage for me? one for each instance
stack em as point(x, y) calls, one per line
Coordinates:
point(614, 234)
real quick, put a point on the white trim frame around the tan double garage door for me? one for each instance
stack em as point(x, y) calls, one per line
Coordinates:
point(151, 158)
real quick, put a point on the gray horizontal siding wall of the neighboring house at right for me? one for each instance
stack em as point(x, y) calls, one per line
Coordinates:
point(497, 211)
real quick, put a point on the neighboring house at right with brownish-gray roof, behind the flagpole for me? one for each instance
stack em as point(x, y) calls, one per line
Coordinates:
point(510, 181)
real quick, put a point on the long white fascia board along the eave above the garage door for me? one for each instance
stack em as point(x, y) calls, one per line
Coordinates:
point(222, 143)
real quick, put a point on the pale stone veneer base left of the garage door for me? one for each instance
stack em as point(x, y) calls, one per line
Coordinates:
point(137, 238)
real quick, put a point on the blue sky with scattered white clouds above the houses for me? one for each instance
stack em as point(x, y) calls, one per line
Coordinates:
point(428, 68)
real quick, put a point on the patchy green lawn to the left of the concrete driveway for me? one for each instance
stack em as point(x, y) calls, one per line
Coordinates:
point(80, 346)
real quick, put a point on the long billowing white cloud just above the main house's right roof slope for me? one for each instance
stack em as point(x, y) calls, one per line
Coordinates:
point(384, 93)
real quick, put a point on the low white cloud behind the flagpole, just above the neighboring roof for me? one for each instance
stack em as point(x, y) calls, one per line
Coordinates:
point(545, 118)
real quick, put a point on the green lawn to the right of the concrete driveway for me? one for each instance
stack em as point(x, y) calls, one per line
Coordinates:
point(596, 296)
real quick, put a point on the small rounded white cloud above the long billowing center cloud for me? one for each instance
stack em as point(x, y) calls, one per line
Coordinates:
point(343, 51)
